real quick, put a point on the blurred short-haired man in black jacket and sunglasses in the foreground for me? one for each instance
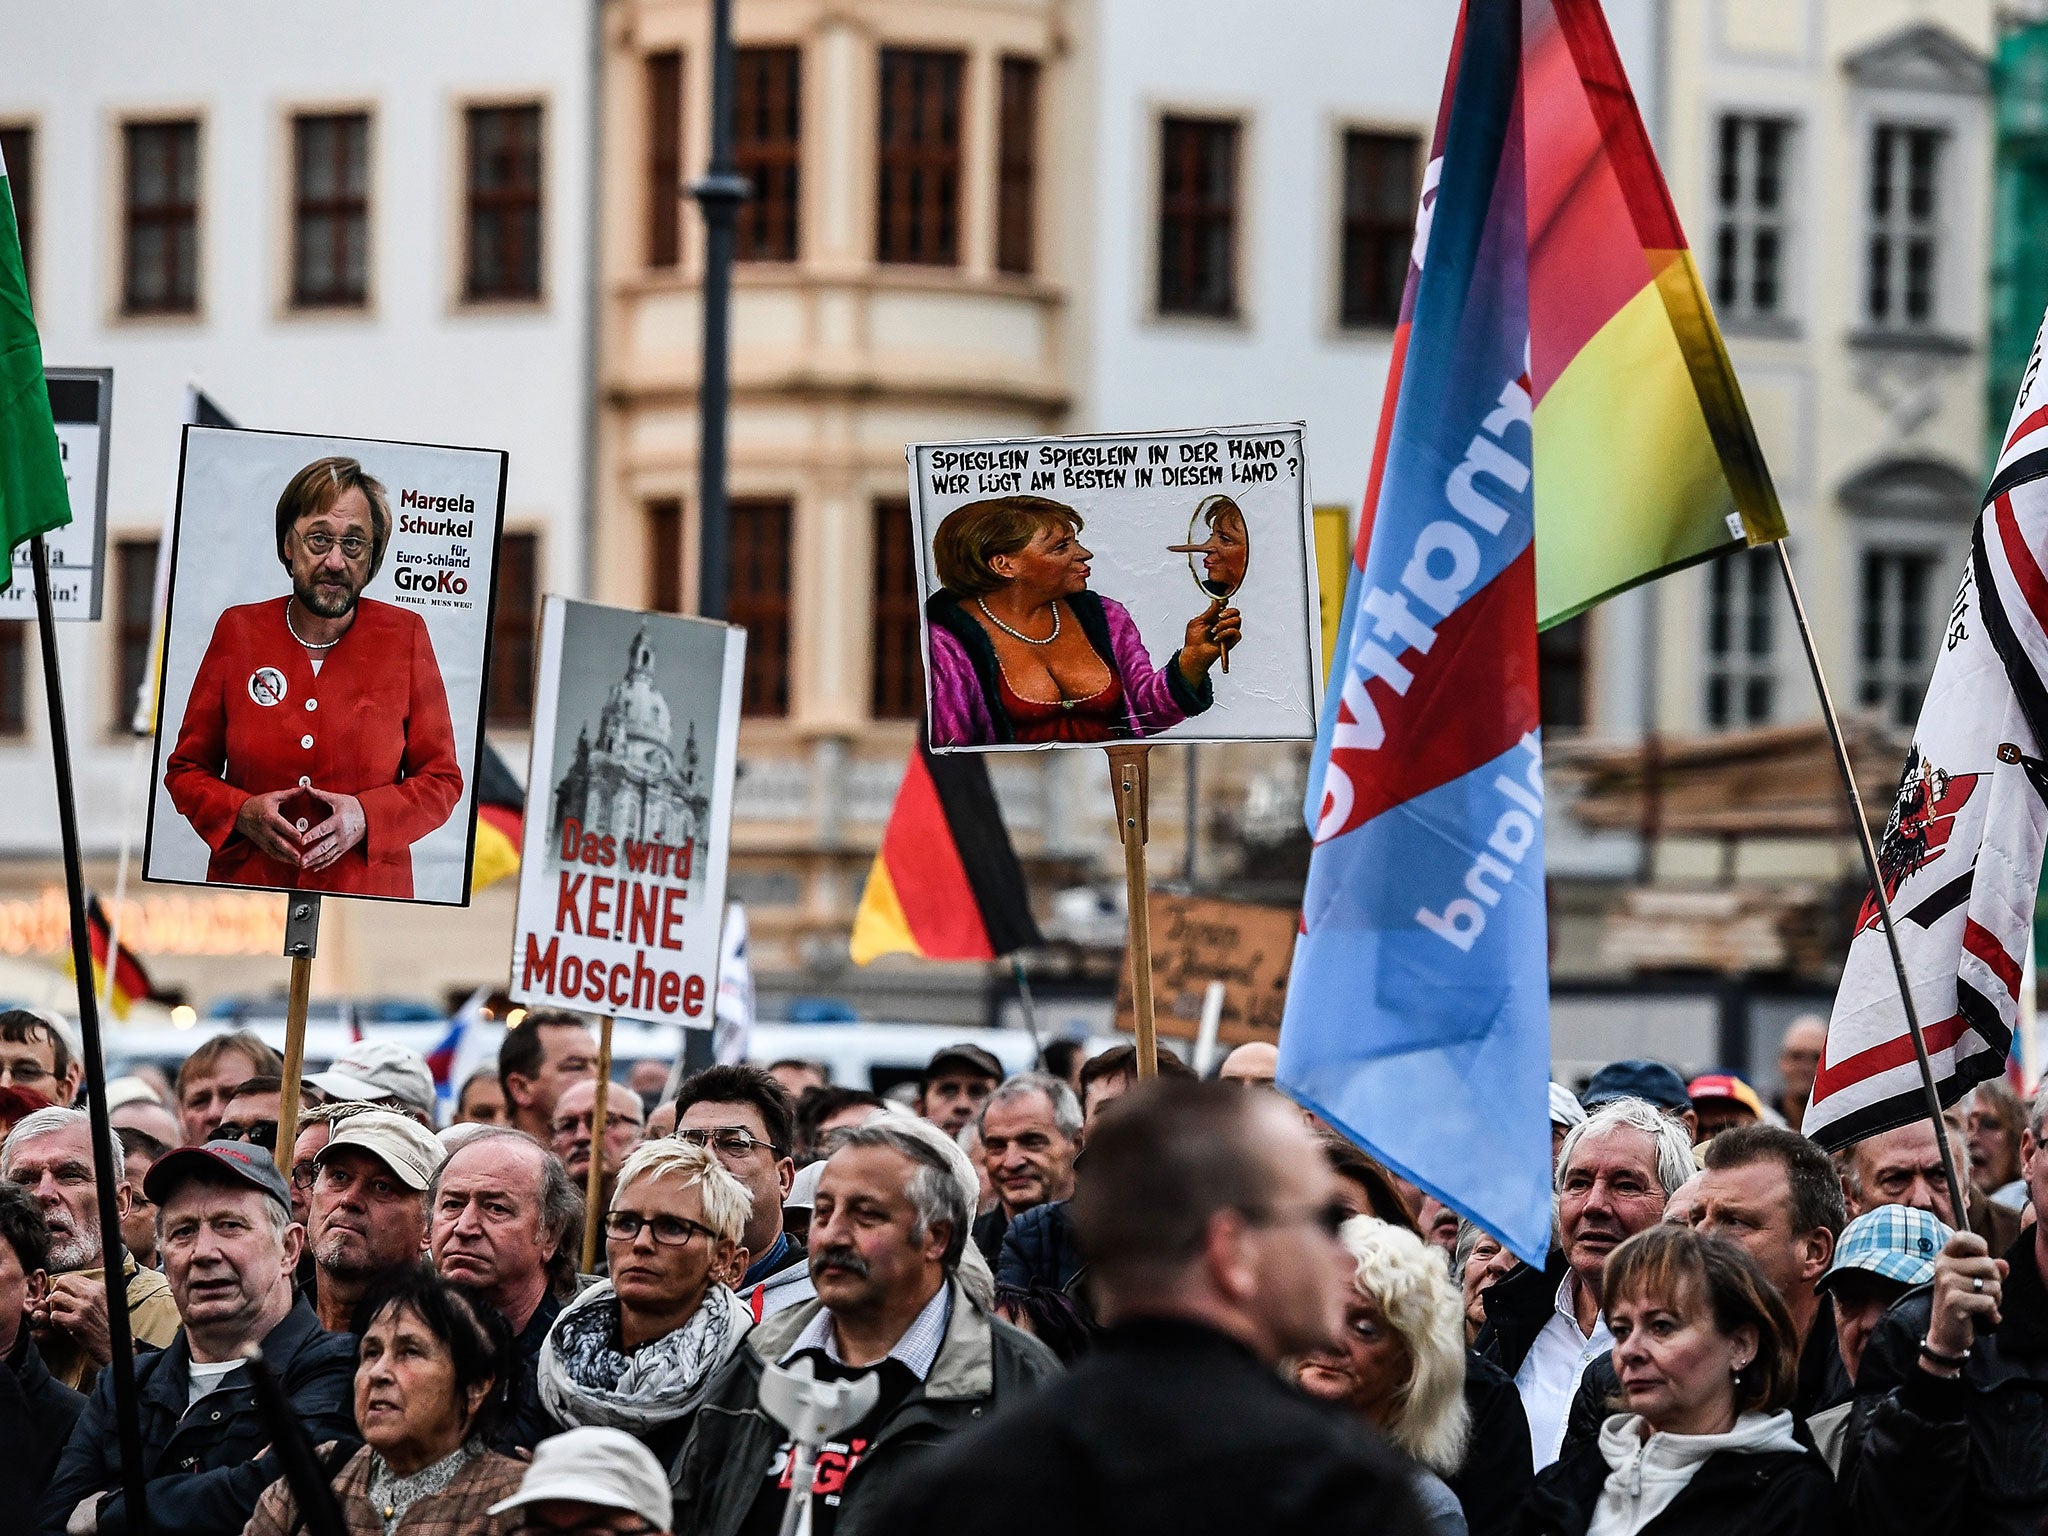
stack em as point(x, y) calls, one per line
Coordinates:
point(1209, 1222)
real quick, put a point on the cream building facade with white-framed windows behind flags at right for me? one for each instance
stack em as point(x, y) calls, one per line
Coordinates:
point(1832, 167)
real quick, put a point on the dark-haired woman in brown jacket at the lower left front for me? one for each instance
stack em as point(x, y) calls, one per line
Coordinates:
point(431, 1390)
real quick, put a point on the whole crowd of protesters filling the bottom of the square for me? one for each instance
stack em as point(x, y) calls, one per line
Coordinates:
point(1056, 1304)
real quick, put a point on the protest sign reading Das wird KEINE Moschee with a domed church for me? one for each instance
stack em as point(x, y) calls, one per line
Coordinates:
point(630, 804)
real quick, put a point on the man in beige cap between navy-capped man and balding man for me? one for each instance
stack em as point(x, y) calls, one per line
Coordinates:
point(368, 1207)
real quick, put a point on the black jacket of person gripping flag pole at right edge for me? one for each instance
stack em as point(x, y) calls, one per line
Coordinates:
point(1957, 1457)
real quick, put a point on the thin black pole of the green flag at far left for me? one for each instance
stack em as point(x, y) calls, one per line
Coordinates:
point(122, 1345)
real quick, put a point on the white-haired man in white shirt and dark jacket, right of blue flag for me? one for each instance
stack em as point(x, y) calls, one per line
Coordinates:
point(1547, 1326)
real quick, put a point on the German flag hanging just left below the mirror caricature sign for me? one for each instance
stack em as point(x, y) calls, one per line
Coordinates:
point(945, 884)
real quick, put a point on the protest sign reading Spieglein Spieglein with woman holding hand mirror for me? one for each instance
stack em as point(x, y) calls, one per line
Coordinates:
point(1113, 589)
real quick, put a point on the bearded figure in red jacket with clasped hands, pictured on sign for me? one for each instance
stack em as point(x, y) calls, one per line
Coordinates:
point(316, 744)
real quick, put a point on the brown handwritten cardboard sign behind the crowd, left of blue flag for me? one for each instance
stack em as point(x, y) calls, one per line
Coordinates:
point(1199, 941)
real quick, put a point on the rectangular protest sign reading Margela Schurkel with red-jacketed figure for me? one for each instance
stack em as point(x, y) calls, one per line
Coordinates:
point(327, 644)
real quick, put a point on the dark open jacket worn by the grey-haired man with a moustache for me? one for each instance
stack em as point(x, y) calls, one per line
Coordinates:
point(724, 1467)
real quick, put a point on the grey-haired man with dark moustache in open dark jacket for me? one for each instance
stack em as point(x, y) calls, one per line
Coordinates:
point(888, 1236)
